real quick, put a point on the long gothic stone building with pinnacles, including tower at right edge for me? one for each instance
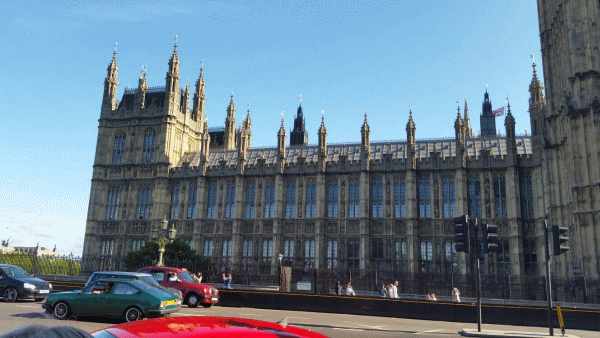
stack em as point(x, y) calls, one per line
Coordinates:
point(364, 205)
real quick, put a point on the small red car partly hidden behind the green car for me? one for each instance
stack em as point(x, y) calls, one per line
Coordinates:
point(193, 293)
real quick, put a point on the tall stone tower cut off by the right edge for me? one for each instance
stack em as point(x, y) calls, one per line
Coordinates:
point(567, 129)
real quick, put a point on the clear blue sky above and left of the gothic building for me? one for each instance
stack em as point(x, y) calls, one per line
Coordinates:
point(341, 56)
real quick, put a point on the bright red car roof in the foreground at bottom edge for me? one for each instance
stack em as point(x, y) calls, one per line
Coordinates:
point(206, 327)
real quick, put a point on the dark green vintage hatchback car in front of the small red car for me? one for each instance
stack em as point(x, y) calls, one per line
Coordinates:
point(123, 298)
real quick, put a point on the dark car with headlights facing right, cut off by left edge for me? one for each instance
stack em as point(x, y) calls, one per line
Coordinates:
point(16, 283)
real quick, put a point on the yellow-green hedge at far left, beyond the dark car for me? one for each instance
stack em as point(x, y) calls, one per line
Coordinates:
point(42, 265)
